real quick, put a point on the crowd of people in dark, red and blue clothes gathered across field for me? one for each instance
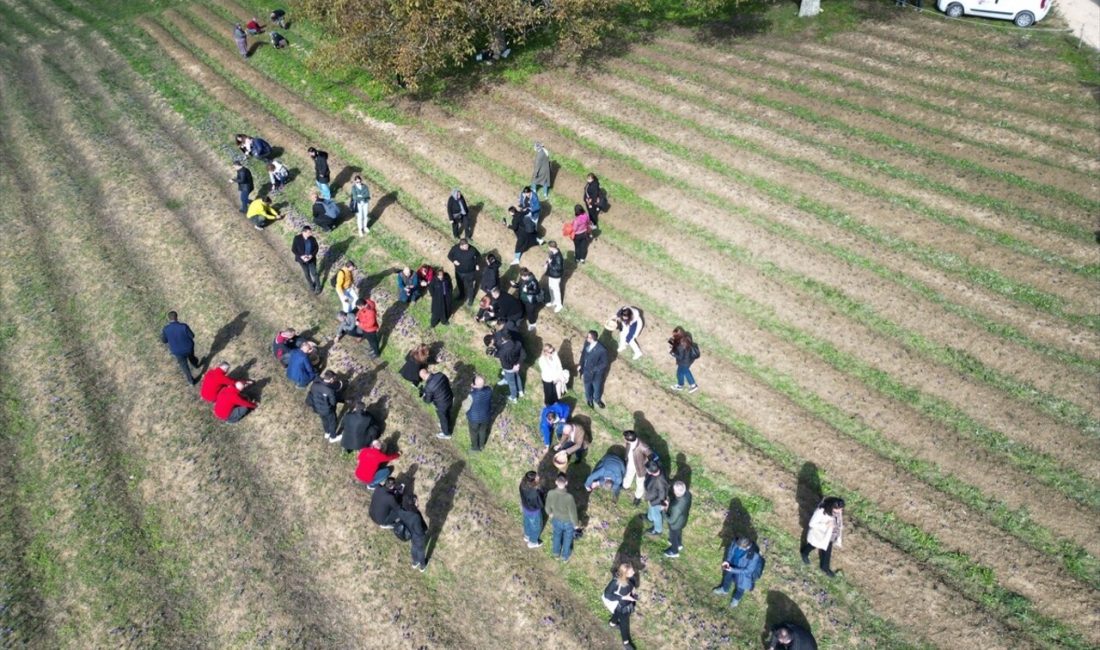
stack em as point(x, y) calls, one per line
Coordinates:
point(510, 311)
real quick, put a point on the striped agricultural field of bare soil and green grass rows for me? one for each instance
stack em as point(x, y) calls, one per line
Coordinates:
point(882, 230)
